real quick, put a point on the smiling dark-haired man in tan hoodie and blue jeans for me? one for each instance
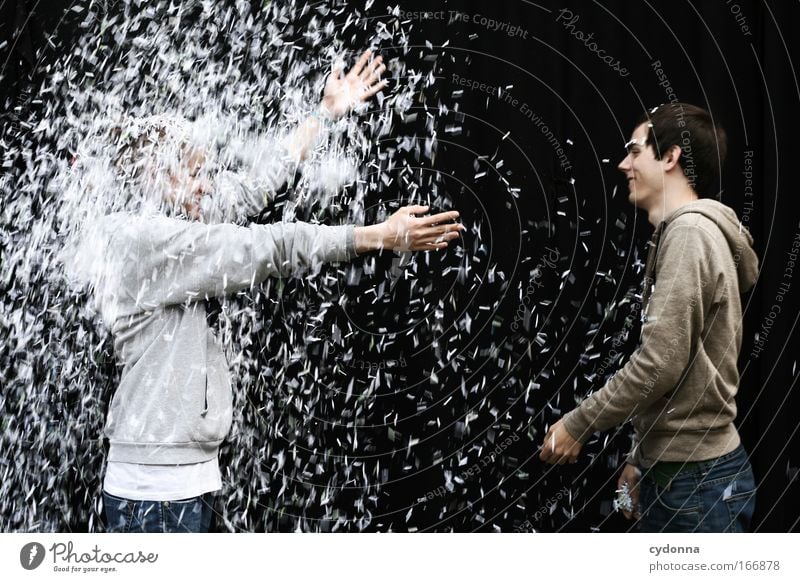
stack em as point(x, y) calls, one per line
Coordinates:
point(687, 470)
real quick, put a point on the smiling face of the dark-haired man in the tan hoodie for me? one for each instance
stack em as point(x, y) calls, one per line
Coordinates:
point(644, 172)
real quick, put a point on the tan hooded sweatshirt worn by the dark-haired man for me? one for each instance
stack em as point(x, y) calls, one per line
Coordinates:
point(678, 387)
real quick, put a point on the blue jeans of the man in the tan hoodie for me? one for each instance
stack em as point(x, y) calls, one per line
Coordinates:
point(716, 496)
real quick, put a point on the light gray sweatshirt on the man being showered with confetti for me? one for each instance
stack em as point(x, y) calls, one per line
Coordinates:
point(174, 401)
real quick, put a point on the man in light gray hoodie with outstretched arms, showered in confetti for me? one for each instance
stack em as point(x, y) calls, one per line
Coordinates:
point(173, 406)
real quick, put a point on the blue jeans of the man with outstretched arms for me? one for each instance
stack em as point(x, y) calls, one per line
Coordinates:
point(135, 516)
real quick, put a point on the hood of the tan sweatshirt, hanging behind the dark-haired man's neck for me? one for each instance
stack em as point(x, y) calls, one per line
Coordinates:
point(738, 237)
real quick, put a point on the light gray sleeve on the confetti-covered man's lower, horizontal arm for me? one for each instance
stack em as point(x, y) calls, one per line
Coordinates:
point(172, 261)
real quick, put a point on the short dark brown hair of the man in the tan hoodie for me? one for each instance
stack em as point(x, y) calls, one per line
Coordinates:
point(703, 143)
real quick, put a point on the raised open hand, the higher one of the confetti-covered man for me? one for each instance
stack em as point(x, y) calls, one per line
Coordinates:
point(344, 92)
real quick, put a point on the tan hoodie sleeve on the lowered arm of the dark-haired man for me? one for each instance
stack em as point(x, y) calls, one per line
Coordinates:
point(684, 289)
